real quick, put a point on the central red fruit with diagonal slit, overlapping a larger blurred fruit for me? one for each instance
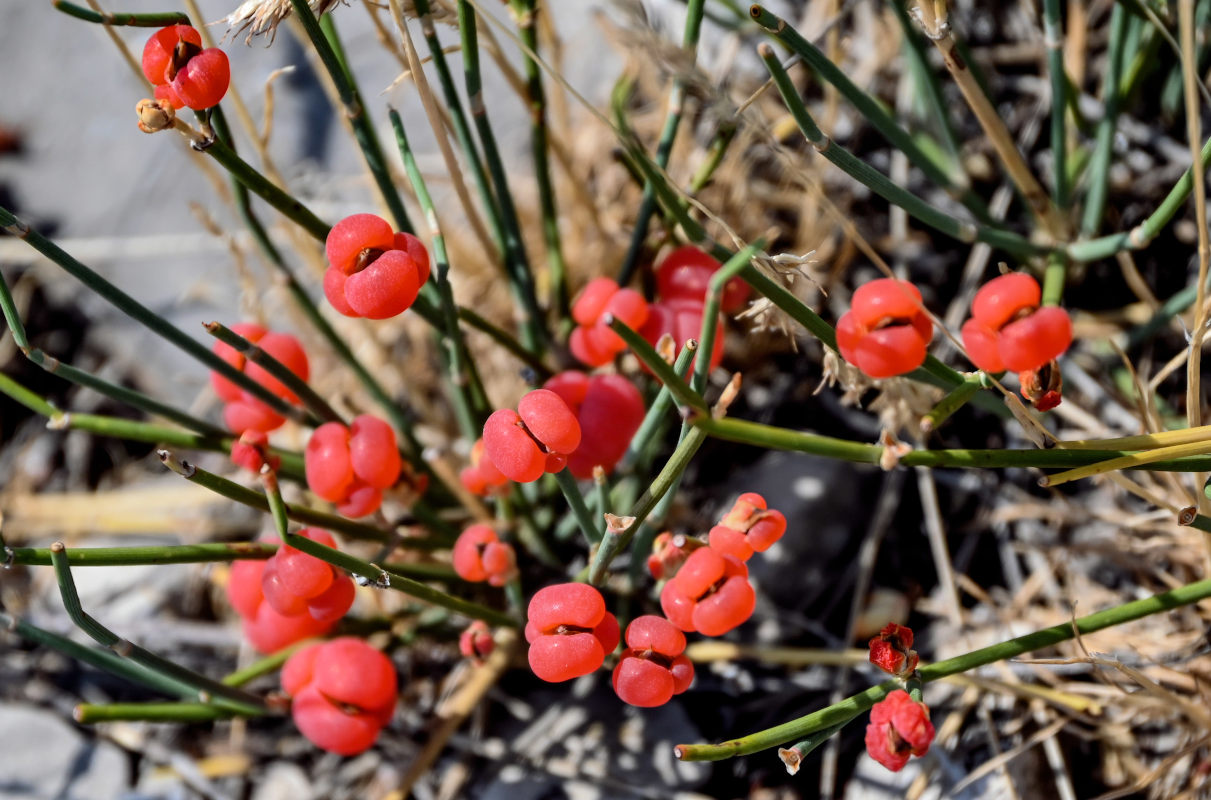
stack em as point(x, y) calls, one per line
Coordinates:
point(536, 439)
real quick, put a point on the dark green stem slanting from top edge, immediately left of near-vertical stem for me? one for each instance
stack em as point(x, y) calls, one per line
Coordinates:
point(533, 327)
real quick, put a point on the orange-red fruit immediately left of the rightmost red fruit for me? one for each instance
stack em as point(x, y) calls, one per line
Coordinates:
point(886, 332)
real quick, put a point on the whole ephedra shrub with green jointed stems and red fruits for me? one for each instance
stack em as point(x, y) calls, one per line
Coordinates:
point(555, 487)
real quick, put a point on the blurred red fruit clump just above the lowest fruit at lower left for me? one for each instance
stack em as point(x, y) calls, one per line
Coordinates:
point(291, 597)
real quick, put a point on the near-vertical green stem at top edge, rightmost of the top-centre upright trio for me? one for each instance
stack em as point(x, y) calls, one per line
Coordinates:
point(526, 13)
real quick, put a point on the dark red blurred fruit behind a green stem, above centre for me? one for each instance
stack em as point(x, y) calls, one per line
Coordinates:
point(684, 281)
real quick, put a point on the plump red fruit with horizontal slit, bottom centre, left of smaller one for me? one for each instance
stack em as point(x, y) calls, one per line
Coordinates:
point(570, 631)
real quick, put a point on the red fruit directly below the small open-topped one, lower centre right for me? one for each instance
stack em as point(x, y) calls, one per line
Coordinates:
point(710, 595)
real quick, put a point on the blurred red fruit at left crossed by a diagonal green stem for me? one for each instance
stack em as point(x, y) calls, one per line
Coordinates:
point(244, 412)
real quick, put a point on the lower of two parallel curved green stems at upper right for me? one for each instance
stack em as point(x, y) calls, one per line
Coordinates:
point(881, 185)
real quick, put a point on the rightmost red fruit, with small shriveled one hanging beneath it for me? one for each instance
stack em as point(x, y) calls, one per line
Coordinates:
point(1008, 329)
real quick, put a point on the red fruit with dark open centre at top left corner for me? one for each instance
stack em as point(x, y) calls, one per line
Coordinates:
point(182, 72)
